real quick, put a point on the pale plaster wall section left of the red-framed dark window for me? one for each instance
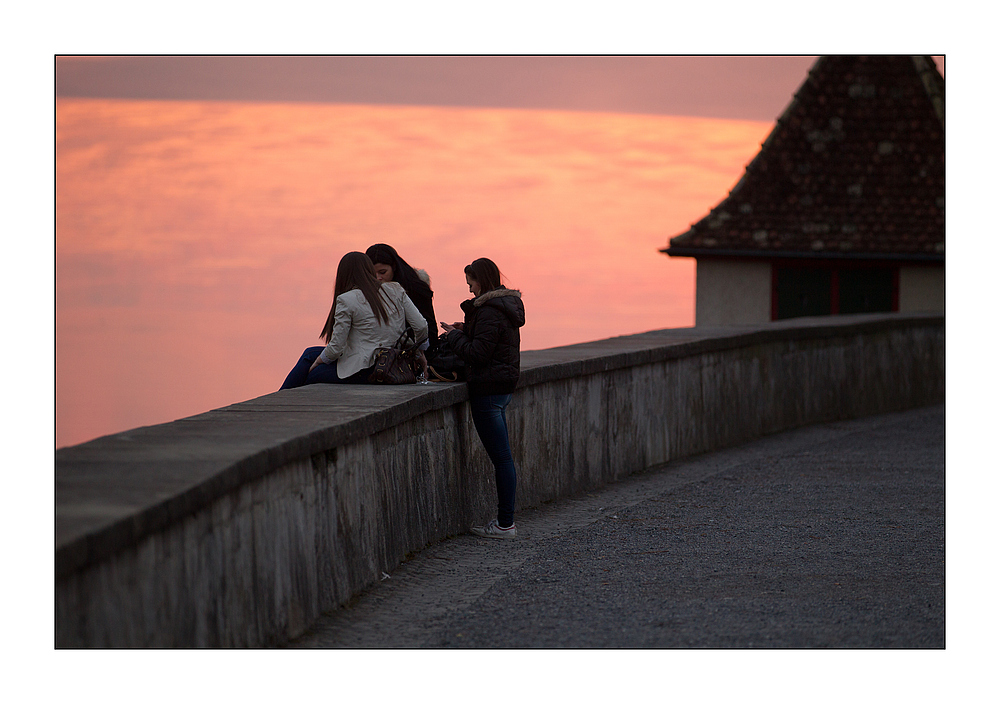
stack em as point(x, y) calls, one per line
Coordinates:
point(732, 292)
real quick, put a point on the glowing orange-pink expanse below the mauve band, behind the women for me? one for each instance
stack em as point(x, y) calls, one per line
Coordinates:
point(196, 242)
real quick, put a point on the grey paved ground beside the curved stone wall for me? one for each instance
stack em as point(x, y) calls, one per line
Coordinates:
point(828, 536)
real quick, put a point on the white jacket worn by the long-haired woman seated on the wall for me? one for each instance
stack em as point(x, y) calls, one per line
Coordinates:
point(357, 333)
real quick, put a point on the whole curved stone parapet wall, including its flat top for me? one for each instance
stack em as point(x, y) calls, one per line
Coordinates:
point(240, 526)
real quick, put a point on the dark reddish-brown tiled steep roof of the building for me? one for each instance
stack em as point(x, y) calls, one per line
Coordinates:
point(853, 168)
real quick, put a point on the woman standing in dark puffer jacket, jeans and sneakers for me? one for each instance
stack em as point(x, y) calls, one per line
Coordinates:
point(489, 342)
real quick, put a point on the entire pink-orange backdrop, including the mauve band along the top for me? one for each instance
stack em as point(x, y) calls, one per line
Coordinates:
point(202, 202)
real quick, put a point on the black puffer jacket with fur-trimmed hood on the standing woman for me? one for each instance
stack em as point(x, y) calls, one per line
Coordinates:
point(490, 344)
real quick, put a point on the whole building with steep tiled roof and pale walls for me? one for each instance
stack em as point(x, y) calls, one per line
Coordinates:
point(842, 210)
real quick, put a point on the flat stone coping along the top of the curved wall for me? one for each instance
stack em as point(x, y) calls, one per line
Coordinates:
point(115, 490)
